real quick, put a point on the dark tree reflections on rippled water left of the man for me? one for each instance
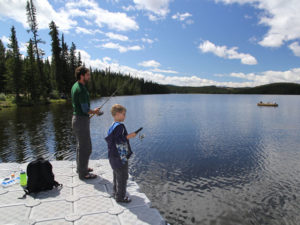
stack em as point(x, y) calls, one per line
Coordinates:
point(28, 132)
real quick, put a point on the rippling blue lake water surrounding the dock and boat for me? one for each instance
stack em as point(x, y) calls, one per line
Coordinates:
point(205, 159)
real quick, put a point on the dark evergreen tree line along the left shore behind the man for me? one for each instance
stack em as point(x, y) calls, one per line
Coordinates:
point(34, 80)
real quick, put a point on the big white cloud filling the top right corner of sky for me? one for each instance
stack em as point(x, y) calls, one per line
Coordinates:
point(281, 16)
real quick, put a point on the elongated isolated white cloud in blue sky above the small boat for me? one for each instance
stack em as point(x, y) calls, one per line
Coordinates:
point(227, 53)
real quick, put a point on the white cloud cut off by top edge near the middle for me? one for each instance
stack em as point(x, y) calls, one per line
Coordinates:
point(158, 8)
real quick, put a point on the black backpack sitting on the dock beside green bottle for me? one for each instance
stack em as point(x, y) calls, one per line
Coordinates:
point(40, 176)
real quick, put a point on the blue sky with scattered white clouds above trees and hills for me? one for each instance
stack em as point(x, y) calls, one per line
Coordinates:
point(228, 43)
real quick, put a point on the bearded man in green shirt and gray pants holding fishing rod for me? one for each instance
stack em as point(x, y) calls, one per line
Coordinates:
point(81, 122)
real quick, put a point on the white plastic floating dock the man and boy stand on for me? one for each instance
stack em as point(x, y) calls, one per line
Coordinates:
point(77, 202)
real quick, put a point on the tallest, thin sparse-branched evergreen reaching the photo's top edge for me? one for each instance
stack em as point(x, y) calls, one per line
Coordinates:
point(31, 19)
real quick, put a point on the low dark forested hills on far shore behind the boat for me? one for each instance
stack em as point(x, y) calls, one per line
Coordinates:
point(275, 88)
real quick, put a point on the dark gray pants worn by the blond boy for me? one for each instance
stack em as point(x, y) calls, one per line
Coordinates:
point(120, 177)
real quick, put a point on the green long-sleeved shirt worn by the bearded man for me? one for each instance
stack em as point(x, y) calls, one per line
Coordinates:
point(80, 95)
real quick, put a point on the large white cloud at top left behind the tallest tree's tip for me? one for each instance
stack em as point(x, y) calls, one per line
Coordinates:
point(65, 18)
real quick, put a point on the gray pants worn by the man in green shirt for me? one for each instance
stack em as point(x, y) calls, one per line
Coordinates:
point(81, 129)
